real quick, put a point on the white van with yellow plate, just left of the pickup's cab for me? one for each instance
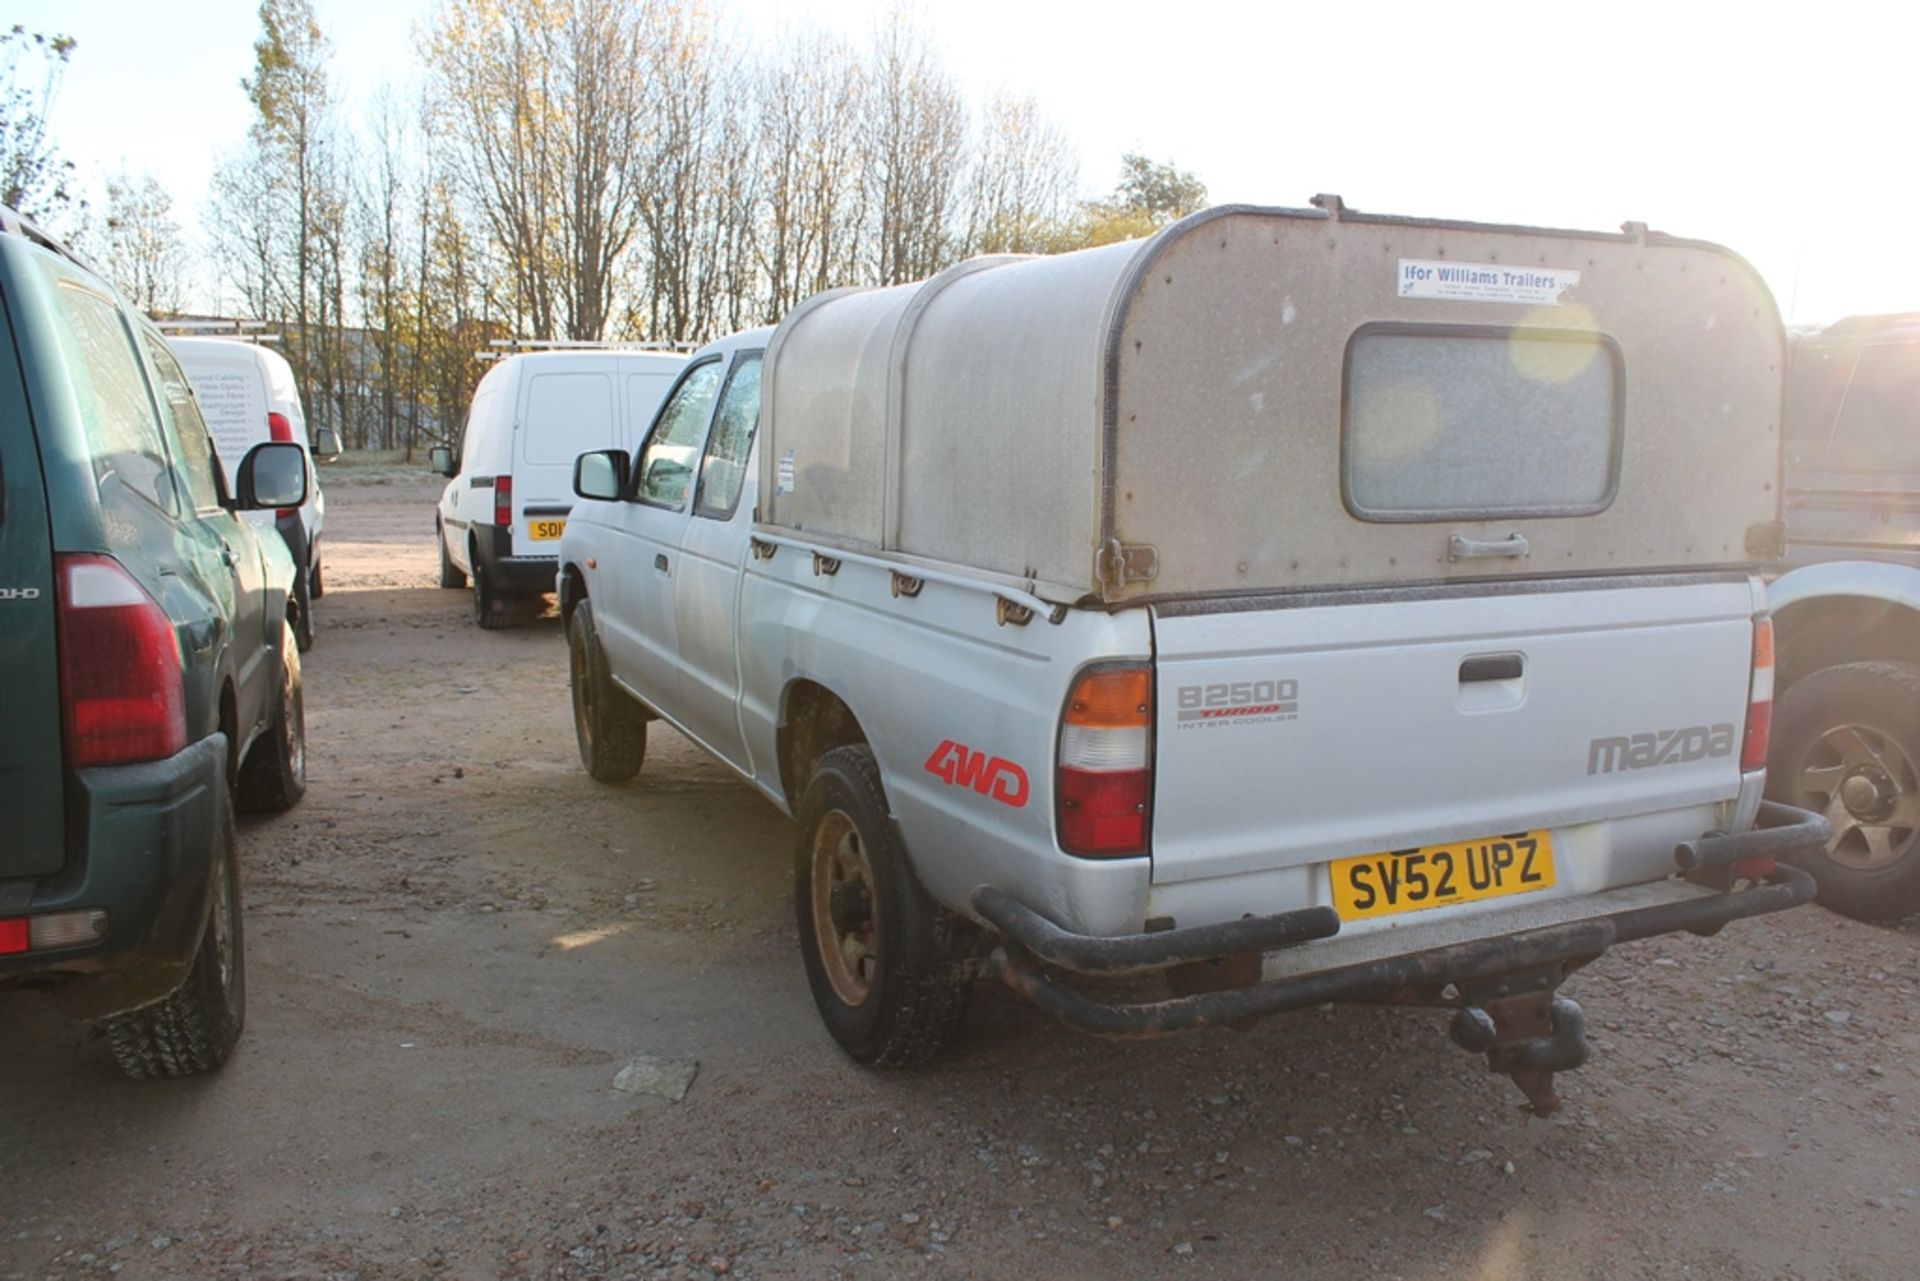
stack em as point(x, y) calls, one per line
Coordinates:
point(510, 493)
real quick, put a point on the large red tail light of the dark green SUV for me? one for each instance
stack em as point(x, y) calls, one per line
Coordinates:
point(120, 667)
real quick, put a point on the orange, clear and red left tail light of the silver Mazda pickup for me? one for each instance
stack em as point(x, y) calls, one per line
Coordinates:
point(1105, 781)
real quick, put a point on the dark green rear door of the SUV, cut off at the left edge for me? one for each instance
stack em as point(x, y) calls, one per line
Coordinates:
point(32, 783)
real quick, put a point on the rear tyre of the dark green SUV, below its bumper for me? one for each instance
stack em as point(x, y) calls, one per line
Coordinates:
point(197, 1028)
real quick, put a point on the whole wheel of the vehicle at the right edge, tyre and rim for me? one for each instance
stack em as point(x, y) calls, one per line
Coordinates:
point(1848, 746)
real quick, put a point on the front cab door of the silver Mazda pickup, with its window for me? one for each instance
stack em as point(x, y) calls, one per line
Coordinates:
point(644, 543)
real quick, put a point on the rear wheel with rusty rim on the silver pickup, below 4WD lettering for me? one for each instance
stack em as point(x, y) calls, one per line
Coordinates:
point(886, 963)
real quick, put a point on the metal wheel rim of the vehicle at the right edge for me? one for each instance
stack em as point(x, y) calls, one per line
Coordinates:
point(1869, 790)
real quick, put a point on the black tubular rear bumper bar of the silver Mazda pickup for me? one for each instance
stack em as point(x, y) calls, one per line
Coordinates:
point(1036, 946)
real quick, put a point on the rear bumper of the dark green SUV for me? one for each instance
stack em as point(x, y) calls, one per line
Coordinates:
point(141, 850)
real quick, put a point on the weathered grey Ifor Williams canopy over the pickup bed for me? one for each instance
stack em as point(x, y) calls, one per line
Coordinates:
point(1272, 400)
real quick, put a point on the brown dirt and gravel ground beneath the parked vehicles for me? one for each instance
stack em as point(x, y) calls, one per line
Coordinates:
point(458, 940)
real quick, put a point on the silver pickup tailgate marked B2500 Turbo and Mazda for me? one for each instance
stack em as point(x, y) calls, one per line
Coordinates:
point(1299, 735)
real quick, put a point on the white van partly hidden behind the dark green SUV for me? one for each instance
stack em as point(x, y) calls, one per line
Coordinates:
point(249, 395)
